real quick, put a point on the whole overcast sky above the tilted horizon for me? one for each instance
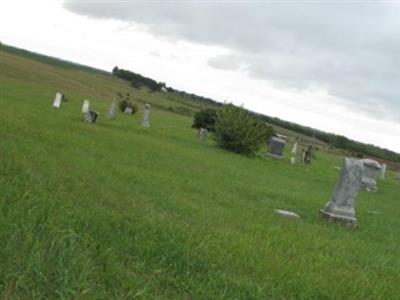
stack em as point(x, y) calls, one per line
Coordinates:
point(332, 65)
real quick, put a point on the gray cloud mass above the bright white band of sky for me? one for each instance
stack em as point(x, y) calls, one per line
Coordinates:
point(352, 49)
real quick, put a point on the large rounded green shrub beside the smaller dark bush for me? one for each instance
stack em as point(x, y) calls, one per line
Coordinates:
point(238, 130)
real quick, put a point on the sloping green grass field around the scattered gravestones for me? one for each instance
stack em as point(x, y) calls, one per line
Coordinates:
point(115, 211)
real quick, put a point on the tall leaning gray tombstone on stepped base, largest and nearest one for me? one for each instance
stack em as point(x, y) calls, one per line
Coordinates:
point(341, 206)
